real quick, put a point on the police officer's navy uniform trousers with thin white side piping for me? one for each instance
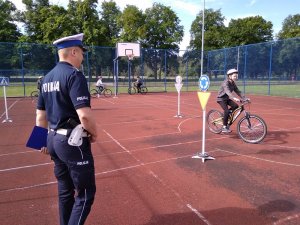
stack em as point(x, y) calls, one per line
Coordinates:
point(74, 171)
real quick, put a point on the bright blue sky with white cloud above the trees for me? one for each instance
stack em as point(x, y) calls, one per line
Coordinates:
point(274, 11)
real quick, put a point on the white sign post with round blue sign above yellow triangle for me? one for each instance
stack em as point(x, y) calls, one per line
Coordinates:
point(203, 98)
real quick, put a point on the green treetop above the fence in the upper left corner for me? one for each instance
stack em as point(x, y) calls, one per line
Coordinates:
point(8, 30)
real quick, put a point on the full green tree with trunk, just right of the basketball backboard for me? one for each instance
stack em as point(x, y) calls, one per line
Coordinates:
point(162, 30)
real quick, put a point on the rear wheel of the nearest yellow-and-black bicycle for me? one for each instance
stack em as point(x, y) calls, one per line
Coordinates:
point(214, 120)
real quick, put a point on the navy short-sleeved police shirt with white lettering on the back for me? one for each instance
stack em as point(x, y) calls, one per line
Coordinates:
point(64, 89)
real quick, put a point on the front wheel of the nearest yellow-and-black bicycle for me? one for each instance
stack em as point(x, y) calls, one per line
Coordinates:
point(252, 129)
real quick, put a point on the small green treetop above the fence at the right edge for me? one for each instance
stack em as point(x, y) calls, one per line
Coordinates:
point(290, 27)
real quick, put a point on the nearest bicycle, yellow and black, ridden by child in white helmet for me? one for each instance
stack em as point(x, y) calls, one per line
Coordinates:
point(250, 128)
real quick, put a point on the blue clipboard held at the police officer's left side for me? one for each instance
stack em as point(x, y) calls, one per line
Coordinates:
point(38, 138)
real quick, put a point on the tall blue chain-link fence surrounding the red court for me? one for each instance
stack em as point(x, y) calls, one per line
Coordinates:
point(271, 68)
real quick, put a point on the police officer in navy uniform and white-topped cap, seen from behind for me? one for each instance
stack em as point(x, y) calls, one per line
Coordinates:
point(64, 103)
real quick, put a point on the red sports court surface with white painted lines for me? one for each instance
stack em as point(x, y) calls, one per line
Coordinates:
point(144, 171)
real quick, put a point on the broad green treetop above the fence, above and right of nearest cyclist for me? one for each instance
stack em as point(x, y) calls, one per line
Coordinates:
point(248, 30)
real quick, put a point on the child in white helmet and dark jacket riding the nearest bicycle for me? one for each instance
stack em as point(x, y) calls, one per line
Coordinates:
point(226, 98)
